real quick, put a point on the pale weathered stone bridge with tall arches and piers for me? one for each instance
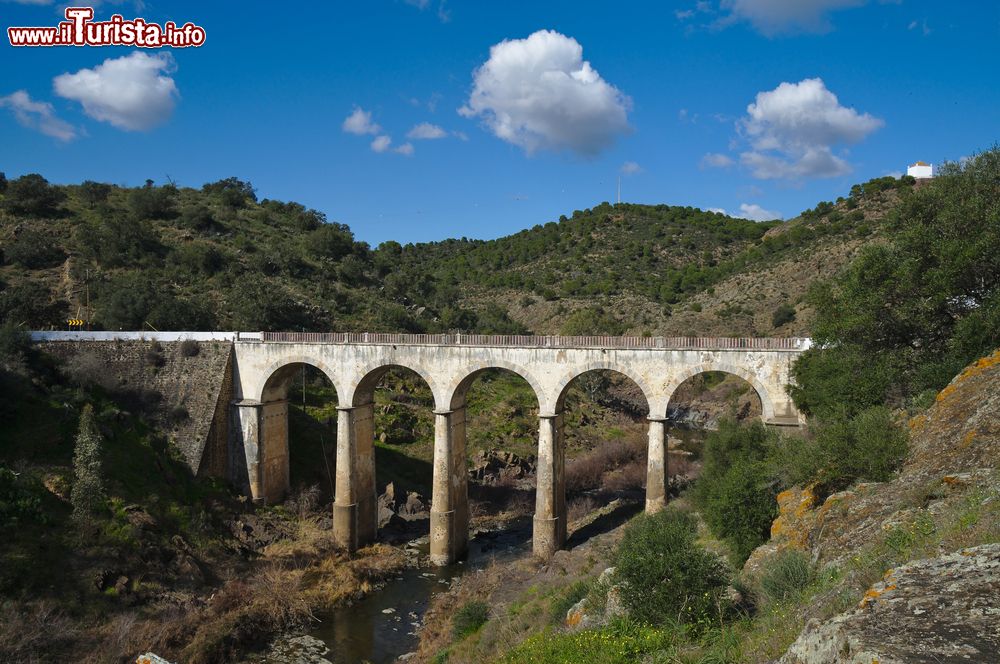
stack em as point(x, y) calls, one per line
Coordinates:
point(263, 366)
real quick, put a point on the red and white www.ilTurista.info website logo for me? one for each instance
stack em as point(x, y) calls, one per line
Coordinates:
point(79, 29)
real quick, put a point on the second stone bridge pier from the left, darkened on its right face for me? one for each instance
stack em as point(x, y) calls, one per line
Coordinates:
point(354, 516)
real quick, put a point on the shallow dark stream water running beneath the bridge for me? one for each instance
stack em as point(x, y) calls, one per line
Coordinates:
point(369, 631)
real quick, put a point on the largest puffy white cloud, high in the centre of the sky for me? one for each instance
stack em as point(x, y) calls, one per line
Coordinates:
point(540, 94)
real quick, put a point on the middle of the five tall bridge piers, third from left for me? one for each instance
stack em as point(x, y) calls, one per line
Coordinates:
point(450, 493)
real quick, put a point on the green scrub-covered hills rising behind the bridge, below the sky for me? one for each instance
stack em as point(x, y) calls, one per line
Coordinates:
point(169, 257)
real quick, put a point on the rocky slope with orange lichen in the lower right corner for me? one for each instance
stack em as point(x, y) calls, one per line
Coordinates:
point(921, 547)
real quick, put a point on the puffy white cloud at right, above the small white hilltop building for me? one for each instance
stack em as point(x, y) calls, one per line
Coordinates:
point(793, 128)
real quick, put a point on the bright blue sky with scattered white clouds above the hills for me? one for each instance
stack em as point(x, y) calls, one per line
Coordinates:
point(759, 106)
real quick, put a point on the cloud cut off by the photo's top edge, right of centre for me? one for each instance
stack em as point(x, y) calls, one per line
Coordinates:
point(772, 17)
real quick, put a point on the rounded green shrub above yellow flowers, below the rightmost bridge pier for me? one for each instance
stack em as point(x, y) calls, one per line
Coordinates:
point(667, 577)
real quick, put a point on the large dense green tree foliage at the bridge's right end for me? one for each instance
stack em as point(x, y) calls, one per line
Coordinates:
point(910, 312)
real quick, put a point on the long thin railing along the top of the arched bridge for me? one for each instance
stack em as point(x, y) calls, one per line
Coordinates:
point(534, 341)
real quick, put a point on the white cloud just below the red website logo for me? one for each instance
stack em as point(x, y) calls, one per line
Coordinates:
point(133, 92)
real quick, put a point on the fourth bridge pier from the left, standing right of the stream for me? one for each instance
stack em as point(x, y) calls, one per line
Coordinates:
point(550, 492)
